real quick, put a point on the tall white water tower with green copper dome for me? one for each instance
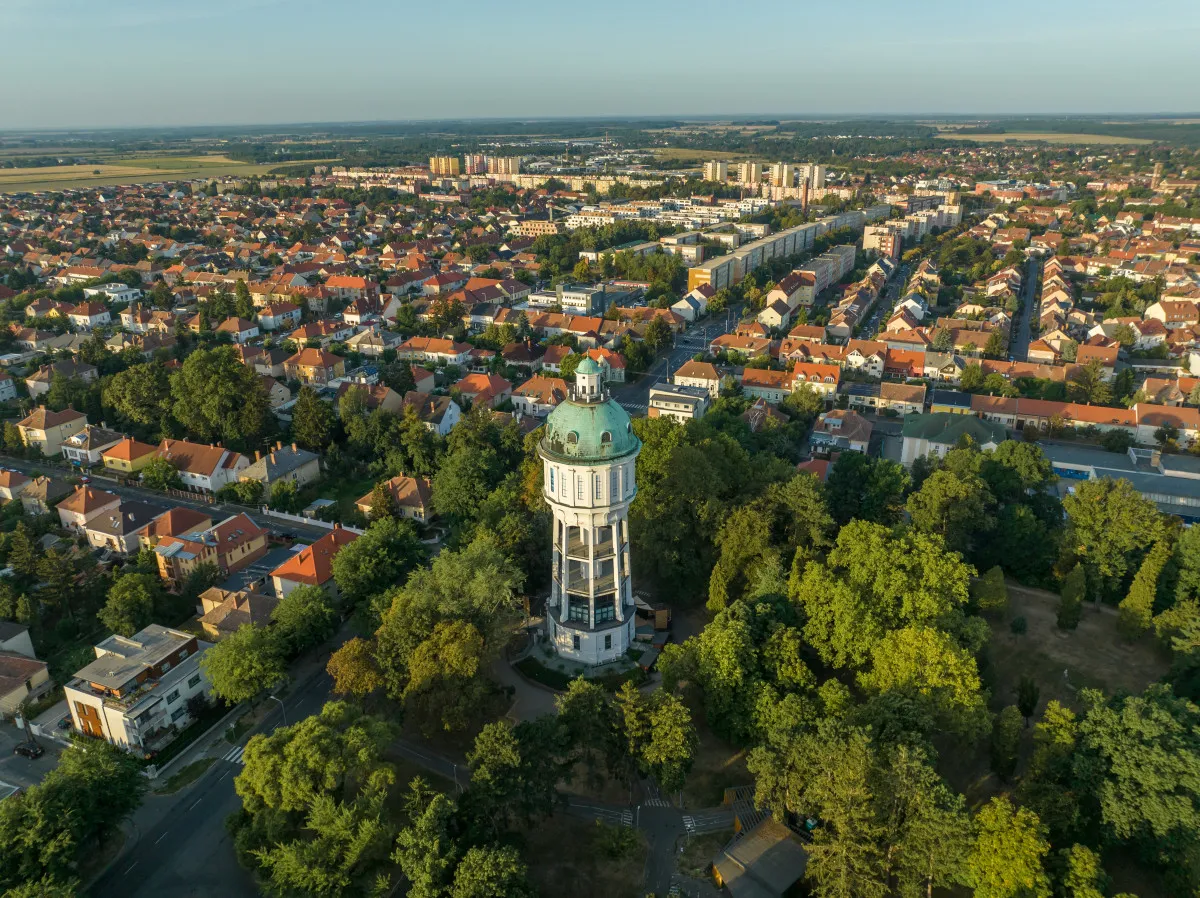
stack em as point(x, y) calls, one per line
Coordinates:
point(589, 457)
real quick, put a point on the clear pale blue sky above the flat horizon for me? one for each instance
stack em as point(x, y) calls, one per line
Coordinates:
point(164, 63)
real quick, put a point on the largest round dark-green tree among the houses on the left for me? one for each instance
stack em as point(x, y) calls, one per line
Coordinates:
point(218, 399)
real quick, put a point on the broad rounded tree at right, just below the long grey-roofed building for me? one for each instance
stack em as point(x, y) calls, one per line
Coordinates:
point(1111, 524)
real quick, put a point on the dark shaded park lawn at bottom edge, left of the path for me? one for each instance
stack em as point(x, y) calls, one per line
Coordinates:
point(563, 861)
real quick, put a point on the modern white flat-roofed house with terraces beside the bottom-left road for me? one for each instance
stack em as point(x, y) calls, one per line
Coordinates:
point(139, 691)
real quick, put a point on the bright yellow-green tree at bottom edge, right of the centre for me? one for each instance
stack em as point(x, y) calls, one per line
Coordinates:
point(1007, 858)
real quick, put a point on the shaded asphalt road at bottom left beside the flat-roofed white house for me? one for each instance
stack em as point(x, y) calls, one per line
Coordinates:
point(182, 847)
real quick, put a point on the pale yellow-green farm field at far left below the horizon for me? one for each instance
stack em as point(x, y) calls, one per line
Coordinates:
point(128, 170)
